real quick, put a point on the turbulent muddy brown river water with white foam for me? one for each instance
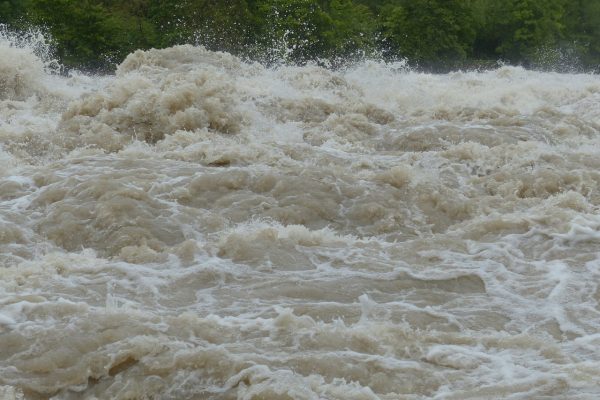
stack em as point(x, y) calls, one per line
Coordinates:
point(198, 227)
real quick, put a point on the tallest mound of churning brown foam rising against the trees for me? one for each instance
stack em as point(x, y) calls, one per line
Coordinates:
point(156, 94)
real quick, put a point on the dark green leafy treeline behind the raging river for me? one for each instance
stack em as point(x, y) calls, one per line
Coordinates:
point(433, 35)
